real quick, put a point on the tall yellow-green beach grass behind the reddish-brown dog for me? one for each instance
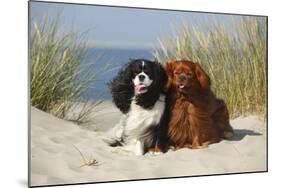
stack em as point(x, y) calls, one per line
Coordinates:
point(235, 59)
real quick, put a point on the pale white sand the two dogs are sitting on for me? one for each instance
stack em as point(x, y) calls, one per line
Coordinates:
point(54, 160)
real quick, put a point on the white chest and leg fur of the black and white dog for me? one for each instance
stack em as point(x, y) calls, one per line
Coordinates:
point(134, 126)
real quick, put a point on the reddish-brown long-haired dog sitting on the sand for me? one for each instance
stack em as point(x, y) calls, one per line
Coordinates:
point(197, 117)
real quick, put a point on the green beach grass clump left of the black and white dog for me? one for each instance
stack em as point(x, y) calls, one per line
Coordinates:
point(58, 78)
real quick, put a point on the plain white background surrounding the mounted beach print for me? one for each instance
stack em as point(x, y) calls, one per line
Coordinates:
point(13, 82)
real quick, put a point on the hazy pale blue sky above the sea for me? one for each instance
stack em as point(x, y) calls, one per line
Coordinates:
point(124, 27)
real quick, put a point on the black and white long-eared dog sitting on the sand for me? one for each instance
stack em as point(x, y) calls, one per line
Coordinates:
point(137, 91)
